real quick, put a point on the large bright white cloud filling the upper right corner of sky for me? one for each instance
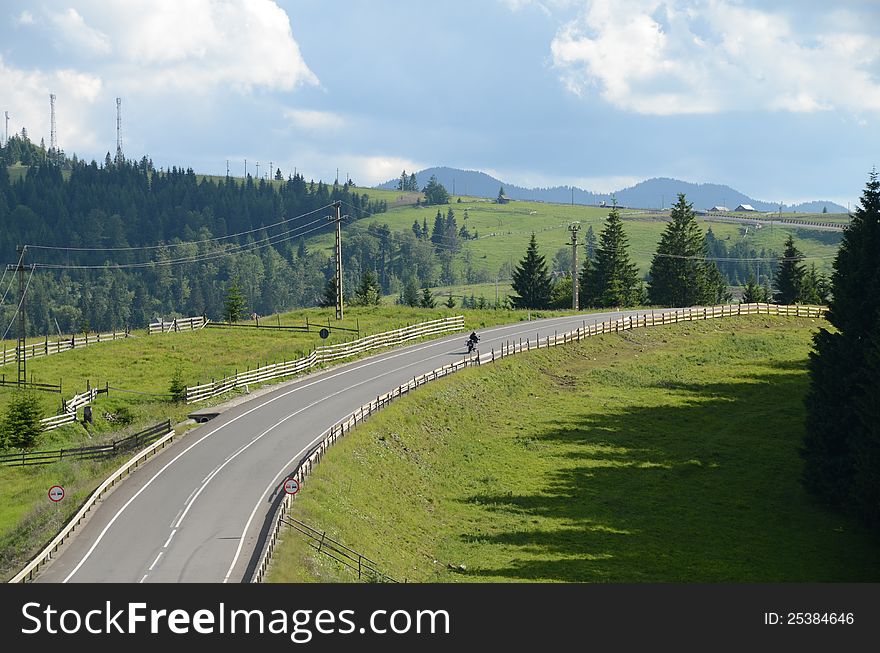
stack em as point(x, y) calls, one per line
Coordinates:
point(705, 56)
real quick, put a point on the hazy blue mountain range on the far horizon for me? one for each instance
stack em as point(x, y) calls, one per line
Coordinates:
point(654, 193)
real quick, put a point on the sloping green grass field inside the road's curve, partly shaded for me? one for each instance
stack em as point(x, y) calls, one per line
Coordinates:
point(659, 455)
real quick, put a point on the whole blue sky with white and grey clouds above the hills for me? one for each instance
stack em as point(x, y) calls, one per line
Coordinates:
point(780, 100)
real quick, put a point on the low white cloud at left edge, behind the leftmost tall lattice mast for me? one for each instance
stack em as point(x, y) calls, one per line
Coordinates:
point(27, 95)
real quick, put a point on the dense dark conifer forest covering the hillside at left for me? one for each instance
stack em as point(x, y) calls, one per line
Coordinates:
point(102, 237)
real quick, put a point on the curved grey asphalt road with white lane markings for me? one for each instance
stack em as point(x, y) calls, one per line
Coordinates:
point(194, 512)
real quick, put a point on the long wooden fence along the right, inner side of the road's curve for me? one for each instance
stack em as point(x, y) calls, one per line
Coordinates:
point(641, 320)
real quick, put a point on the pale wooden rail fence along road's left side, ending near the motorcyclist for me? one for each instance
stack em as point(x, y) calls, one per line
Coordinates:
point(320, 355)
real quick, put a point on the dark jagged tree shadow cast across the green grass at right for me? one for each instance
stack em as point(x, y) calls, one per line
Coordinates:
point(704, 489)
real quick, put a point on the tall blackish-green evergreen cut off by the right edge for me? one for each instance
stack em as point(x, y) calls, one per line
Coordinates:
point(842, 444)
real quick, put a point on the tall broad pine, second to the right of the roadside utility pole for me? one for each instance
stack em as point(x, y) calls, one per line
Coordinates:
point(680, 273)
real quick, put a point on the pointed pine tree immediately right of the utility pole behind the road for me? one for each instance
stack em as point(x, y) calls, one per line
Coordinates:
point(611, 279)
